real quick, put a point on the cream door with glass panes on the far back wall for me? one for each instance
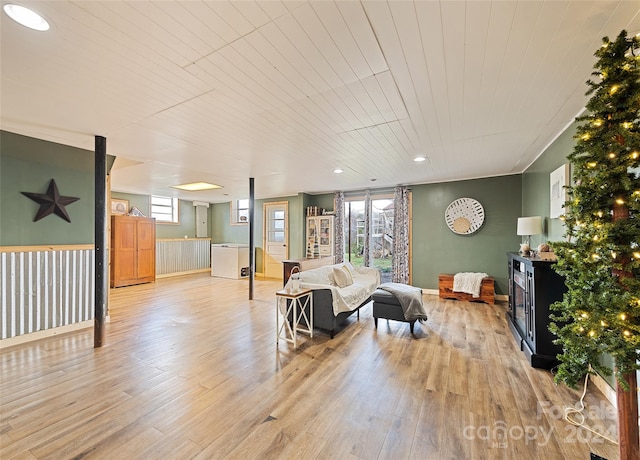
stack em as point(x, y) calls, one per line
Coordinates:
point(276, 235)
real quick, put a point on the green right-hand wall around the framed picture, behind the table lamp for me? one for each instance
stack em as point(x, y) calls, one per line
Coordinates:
point(536, 184)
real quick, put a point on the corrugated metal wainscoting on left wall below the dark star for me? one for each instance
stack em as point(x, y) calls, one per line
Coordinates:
point(45, 287)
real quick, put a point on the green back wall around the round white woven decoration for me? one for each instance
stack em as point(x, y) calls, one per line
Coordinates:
point(436, 249)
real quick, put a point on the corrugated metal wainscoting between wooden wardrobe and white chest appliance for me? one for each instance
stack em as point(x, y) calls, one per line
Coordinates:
point(181, 256)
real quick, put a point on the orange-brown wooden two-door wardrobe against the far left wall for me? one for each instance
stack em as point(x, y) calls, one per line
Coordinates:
point(133, 250)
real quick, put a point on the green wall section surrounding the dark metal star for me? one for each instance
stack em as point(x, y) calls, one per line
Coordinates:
point(28, 165)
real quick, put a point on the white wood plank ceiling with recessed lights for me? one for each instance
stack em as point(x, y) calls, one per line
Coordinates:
point(287, 91)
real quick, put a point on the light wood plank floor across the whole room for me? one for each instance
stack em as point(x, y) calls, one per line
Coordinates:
point(191, 370)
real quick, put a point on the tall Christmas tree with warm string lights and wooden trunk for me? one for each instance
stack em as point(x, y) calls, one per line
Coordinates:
point(600, 313)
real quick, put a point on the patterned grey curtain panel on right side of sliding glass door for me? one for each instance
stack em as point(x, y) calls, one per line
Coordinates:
point(400, 265)
